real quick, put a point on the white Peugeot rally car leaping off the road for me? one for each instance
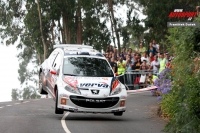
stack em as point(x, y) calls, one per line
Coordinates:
point(80, 79)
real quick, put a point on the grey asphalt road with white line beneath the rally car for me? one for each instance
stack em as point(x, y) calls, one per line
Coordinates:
point(37, 116)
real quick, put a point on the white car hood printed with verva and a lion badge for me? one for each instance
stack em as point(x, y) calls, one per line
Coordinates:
point(94, 87)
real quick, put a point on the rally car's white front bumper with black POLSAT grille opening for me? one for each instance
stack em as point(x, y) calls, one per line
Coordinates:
point(83, 104)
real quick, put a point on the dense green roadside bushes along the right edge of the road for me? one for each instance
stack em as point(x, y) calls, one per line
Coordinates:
point(182, 104)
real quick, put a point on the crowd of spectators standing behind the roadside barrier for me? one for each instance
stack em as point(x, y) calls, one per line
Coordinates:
point(144, 58)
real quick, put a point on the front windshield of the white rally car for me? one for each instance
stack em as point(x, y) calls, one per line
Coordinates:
point(87, 66)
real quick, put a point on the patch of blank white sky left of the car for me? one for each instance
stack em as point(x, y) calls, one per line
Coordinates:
point(9, 75)
